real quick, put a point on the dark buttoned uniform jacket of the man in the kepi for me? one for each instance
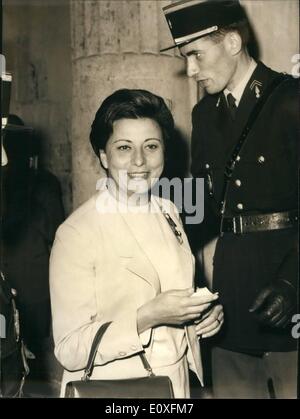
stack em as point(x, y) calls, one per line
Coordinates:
point(264, 181)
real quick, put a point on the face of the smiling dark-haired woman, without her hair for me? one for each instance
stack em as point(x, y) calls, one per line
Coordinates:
point(135, 148)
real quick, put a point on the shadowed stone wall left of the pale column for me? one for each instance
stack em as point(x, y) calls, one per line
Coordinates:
point(36, 43)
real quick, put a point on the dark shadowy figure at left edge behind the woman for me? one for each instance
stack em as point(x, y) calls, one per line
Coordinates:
point(31, 211)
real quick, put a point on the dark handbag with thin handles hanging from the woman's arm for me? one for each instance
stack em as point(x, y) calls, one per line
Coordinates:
point(150, 387)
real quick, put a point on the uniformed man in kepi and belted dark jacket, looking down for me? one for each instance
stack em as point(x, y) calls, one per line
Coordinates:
point(255, 215)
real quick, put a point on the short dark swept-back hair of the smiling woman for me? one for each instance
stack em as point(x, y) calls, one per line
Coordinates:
point(131, 104)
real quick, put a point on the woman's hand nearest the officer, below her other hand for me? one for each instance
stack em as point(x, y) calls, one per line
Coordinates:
point(211, 322)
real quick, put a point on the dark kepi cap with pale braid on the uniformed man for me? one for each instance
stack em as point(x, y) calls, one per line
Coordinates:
point(189, 20)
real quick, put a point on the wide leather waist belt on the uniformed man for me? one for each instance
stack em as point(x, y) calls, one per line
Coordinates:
point(262, 222)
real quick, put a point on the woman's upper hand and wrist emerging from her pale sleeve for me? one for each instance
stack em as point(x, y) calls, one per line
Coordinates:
point(173, 307)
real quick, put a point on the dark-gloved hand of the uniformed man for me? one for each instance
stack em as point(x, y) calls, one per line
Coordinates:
point(275, 304)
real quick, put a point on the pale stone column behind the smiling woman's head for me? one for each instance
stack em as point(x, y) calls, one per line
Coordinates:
point(116, 44)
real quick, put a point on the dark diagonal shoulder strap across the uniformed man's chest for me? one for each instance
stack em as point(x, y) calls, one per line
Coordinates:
point(230, 165)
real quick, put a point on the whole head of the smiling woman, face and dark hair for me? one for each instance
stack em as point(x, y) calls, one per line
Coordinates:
point(130, 135)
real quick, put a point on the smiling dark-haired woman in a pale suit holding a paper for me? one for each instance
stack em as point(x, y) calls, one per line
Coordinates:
point(110, 265)
